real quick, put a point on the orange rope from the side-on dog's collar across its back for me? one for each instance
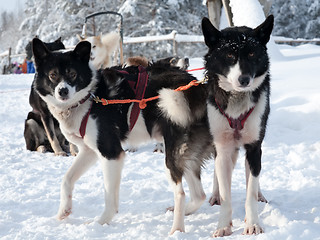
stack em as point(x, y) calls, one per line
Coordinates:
point(143, 102)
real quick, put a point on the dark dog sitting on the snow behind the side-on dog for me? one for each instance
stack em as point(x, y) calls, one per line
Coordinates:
point(41, 131)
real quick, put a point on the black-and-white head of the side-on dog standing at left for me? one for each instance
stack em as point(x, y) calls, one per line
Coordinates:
point(63, 78)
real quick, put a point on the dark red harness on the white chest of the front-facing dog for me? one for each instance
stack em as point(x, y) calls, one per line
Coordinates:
point(238, 123)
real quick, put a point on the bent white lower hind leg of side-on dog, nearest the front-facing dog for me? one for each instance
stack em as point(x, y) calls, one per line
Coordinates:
point(197, 195)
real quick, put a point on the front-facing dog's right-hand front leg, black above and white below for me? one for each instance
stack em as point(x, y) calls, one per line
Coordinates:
point(254, 161)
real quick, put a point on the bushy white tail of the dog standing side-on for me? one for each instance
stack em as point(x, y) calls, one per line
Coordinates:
point(174, 105)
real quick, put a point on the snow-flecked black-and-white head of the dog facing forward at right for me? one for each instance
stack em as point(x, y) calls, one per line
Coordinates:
point(238, 55)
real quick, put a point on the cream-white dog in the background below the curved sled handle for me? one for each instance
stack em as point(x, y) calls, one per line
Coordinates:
point(102, 49)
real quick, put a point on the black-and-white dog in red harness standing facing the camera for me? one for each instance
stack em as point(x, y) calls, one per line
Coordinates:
point(237, 69)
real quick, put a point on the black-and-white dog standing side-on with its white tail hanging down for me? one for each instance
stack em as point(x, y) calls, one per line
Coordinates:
point(68, 85)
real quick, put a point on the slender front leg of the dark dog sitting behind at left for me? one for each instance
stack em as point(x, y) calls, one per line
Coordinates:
point(52, 137)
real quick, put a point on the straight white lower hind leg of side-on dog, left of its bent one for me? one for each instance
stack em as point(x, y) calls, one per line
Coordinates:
point(179, 204)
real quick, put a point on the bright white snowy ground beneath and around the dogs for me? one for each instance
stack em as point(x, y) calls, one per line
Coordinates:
point(290, 177)
